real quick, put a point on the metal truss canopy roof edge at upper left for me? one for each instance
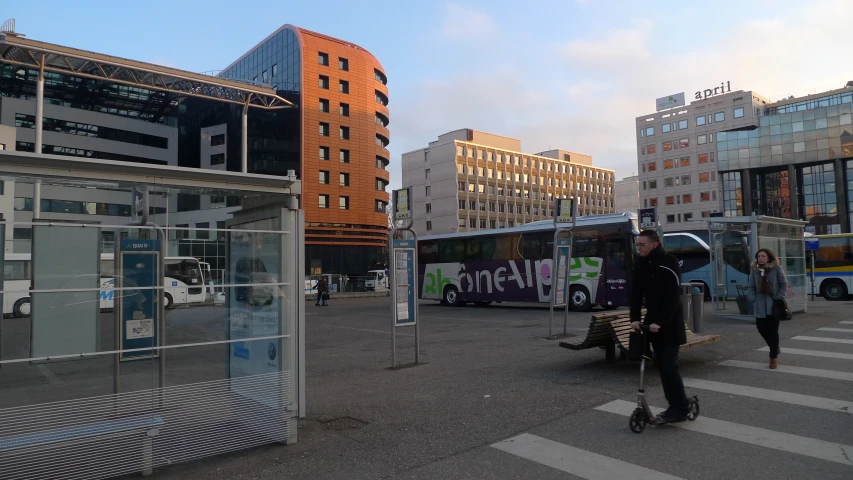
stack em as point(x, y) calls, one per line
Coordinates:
point(15, 50)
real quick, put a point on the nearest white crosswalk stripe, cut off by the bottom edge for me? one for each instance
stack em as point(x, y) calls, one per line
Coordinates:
point(575, 461)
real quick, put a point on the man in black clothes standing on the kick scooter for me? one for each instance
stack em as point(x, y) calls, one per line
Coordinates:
point(657, 280)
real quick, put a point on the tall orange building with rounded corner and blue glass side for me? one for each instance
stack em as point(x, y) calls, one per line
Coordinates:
point(341, 92)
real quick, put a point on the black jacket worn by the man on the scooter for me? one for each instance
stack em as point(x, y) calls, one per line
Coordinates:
point(657, 279)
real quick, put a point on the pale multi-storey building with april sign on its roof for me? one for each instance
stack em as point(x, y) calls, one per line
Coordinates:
point(676, 154)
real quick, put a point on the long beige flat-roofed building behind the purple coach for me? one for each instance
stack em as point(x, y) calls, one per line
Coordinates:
point(470, 180)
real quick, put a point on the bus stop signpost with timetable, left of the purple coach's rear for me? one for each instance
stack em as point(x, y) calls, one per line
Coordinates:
point(403, 273)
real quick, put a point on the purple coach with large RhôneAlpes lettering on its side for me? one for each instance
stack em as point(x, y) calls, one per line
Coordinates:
point(515, 265)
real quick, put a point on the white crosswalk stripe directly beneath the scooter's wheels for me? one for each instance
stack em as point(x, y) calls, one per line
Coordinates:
point(786, 442)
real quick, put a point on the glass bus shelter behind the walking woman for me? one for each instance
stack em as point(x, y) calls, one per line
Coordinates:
point(734, 241)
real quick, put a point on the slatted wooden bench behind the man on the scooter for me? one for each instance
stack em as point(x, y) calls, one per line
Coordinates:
point(611, 329)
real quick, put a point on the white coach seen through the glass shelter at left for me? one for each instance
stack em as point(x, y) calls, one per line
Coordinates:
point(184, 282)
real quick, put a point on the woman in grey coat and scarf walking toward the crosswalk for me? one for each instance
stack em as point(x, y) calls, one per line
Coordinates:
point(767, 282)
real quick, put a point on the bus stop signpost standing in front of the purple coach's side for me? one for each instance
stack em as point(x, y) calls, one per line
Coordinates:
point(565, 215)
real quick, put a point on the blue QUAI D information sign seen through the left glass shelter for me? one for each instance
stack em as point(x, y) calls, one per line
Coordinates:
point(139, 262)
